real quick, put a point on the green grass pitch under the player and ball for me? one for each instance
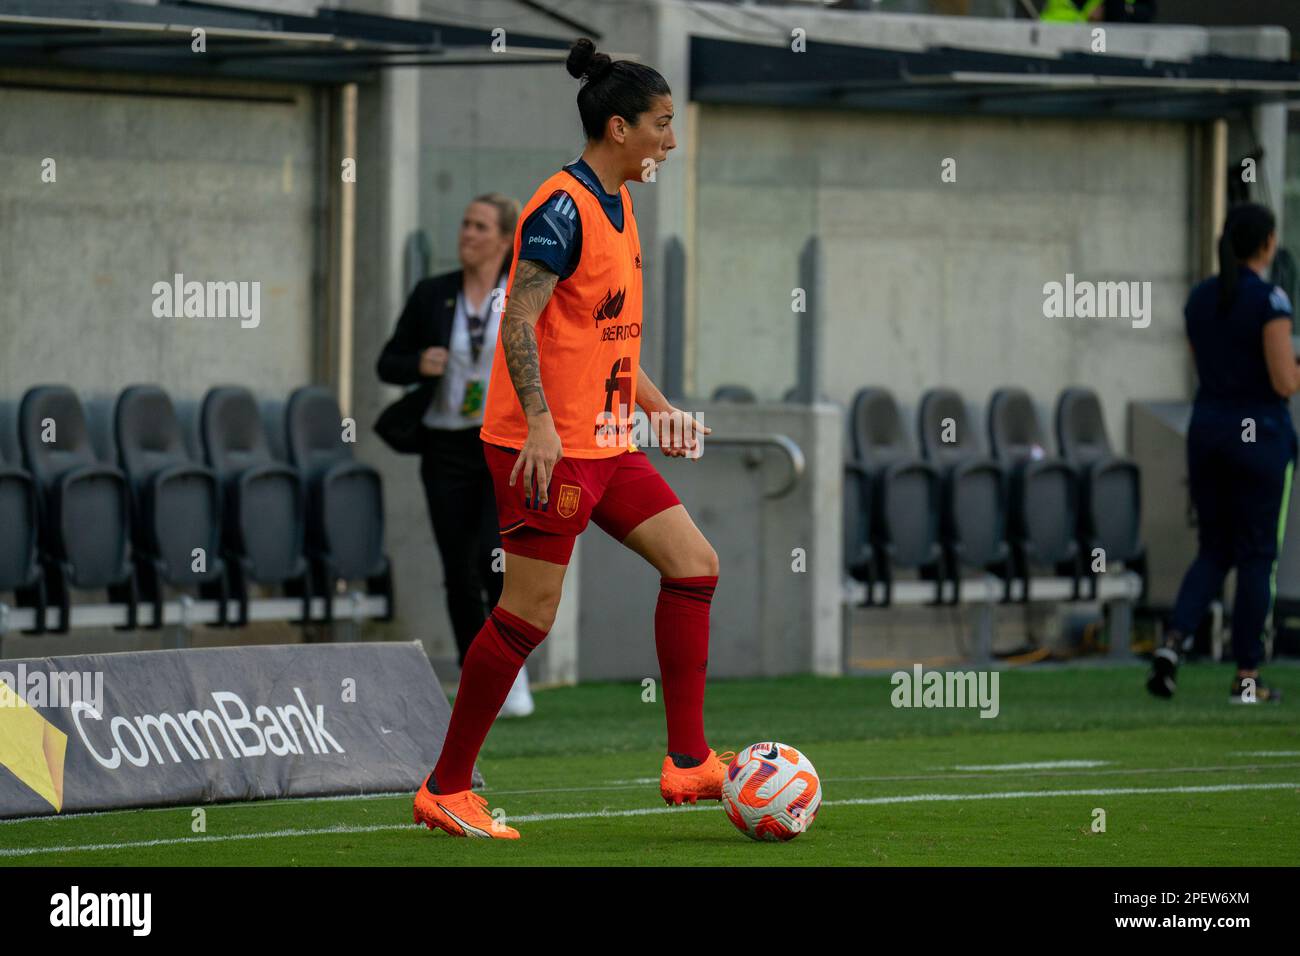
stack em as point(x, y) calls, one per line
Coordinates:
point(1194, 781)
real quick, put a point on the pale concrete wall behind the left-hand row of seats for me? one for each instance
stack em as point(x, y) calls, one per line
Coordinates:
point(154, 183)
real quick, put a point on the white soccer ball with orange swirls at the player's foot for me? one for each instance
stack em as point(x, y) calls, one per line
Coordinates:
point(772, 793)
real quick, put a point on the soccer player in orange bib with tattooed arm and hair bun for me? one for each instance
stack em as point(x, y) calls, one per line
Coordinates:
point(566, 379)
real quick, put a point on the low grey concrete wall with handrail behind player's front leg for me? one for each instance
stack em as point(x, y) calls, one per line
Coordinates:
point(778, 605)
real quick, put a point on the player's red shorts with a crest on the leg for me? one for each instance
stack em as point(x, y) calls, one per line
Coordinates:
point(618, 494)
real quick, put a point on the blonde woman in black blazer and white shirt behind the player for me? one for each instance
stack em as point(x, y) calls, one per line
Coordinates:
point(444, 343)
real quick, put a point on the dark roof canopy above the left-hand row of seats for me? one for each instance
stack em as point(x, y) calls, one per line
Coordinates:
point(330, 47)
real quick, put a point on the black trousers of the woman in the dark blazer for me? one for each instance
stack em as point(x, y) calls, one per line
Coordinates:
point(463, 511)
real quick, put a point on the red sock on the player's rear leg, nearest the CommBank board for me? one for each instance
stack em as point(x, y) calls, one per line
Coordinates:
point(492, 665)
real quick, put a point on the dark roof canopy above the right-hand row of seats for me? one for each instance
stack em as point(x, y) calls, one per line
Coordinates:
point(952, 80)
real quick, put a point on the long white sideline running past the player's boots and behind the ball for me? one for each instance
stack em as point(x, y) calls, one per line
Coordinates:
point(651, 811)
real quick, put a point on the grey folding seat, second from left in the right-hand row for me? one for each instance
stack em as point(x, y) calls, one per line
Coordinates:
point(974, 490)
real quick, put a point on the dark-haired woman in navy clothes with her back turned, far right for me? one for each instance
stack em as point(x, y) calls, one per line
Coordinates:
point(1241, 448)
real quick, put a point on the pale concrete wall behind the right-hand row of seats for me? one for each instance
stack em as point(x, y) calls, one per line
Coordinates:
point(941, 284)
